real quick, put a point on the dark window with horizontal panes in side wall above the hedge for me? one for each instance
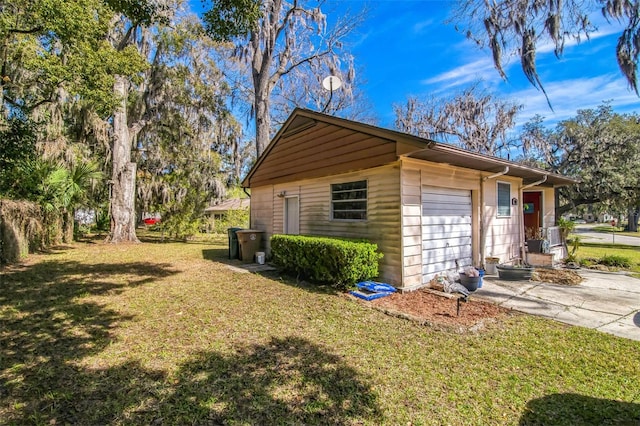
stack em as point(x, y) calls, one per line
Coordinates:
point(349, 200)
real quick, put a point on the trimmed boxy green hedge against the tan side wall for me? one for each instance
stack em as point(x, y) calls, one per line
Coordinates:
point(339, 262)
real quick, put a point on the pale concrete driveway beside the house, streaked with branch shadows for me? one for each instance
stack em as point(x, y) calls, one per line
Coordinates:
point(605, 301)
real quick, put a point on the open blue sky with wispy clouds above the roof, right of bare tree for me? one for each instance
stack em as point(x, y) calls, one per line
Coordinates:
point(406, 49)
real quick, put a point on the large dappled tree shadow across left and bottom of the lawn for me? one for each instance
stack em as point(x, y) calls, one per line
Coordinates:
point(48, 327)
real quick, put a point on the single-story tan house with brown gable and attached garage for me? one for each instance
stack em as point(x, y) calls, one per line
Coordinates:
point(430, 207)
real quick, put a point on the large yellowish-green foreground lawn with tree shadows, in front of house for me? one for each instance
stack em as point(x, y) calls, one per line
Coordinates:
point(165, 333)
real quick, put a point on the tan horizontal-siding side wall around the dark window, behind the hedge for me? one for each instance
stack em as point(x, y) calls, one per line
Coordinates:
point(383, 212)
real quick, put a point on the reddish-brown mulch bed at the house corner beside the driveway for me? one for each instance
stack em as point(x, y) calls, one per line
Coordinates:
point(440, 310)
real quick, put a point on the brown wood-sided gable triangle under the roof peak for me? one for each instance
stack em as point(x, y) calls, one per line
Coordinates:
point(322, 150)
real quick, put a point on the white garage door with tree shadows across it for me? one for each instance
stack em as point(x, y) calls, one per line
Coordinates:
point(446, 230)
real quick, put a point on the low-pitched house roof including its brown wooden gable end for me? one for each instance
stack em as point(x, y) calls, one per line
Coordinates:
point(311, 144)
